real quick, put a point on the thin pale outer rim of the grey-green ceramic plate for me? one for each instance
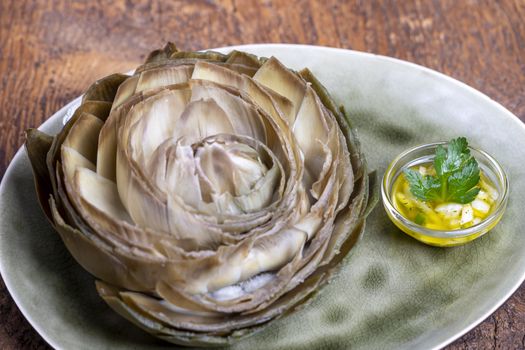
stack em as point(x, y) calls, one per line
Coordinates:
point(277, 46)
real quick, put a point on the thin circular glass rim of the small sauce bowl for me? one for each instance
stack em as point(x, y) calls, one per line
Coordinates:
point(496, 214)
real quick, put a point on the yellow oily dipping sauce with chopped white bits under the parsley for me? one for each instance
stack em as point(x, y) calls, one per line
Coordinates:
point(443, 215)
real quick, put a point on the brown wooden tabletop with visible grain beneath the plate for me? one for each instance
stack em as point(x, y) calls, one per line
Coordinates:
point(50, 51)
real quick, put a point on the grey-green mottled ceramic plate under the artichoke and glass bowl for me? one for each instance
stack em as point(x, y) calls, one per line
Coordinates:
point(393, 293)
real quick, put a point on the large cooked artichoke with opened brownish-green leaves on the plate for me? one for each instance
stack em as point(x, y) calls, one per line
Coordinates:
point(208, 194)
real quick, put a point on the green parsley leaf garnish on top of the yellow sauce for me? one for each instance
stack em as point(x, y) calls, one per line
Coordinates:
point(456, 179)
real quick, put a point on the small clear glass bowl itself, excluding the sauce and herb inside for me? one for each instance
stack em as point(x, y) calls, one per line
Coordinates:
point(444, 238)
